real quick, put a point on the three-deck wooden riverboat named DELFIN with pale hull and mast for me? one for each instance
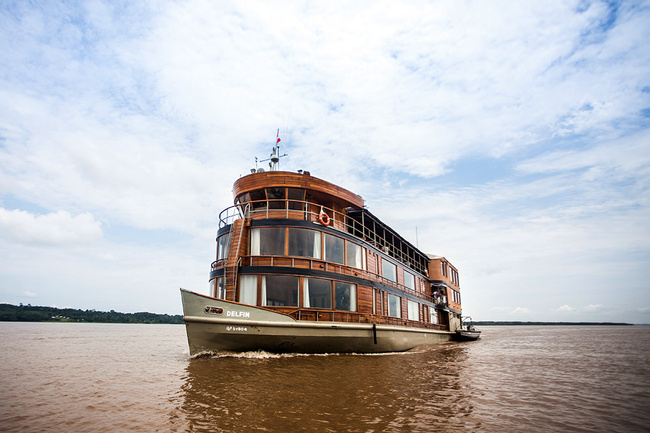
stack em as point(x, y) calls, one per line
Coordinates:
point(302, 266)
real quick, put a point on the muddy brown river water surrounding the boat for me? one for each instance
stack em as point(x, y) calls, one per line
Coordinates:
point(139, 378)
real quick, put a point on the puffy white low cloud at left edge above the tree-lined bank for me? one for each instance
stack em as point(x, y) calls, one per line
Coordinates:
point(57, 228)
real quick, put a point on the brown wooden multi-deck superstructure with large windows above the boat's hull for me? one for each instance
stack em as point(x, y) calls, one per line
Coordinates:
point(304, 247)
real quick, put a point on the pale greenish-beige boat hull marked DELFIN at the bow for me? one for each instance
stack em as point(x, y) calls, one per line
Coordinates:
point(215, 325)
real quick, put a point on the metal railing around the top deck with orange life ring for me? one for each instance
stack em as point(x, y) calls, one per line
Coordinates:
point(309, 211)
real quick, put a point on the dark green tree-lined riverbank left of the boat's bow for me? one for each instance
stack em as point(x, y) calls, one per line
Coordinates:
point(28, 313)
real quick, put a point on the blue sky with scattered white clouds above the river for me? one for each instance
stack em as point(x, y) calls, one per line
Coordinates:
point(513, 138)
